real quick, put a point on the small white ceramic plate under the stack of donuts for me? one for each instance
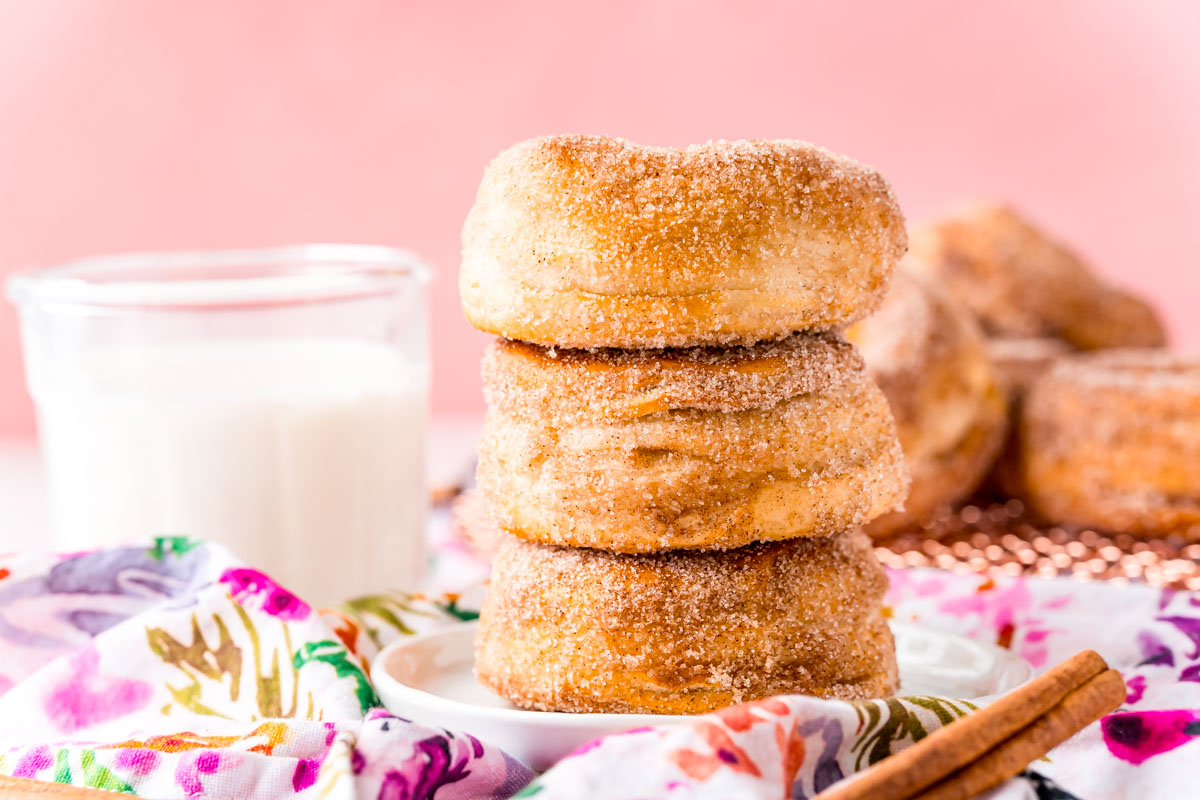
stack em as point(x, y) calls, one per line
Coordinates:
point(430, 679)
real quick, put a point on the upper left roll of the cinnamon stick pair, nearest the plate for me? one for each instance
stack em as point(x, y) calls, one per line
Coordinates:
point(952, 748)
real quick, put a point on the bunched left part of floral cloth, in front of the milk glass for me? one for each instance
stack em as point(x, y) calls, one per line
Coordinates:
point(176, 671)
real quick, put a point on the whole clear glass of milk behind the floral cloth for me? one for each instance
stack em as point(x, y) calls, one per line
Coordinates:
point(271, 400)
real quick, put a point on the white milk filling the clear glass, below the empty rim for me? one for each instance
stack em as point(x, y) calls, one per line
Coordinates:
point(303, 456)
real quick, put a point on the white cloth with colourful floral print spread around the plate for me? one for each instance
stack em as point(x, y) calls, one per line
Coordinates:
point(176, 671)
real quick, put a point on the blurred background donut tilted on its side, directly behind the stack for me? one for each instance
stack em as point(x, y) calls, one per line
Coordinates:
point(931, 360)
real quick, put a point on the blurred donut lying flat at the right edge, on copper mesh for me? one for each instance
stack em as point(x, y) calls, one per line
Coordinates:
point(1112, 441)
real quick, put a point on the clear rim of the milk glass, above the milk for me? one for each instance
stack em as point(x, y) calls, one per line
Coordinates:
point(322, 273)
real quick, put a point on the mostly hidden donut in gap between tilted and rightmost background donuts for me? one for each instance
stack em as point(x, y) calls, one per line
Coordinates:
point(1018, 364)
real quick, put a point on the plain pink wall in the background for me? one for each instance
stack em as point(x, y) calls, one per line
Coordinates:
point(148, 125)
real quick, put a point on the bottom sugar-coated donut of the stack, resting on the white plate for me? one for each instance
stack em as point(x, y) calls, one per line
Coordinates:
point(578, 630)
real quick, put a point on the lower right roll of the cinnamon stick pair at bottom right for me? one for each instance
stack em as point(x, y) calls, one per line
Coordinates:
point(1081, 709)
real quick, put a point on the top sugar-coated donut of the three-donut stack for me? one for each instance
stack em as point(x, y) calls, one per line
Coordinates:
point(591, 242)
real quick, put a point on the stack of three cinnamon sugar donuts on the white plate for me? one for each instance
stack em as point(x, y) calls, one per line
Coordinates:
point(680, 447)
